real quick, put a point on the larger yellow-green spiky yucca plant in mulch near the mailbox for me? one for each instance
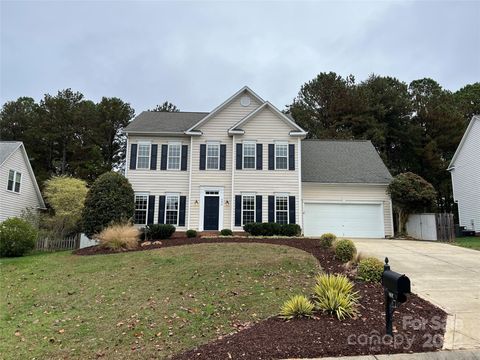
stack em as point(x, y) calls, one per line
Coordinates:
point(334, 294)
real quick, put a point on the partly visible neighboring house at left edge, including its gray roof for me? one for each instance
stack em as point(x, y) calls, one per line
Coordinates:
point(18, 187)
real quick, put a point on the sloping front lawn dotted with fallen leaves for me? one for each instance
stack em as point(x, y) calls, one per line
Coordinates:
point(148, 304)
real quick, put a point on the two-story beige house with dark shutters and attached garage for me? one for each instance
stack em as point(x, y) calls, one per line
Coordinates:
point(245, 162)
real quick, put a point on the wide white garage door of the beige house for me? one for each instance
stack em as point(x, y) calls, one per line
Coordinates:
point(349, 220)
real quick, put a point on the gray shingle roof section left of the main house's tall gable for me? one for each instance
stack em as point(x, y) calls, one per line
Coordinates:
point(157, 122)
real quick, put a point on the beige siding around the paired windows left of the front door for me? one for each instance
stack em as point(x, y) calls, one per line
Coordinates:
point(159, 182)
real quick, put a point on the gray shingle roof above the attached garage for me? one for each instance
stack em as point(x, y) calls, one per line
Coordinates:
point(342, 161)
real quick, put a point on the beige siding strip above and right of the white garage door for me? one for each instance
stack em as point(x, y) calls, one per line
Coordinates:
point(348, 192)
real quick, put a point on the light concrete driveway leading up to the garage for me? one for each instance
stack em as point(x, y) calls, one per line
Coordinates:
point(446, 275)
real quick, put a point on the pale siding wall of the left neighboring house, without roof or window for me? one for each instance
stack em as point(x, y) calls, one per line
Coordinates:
point(11, 203)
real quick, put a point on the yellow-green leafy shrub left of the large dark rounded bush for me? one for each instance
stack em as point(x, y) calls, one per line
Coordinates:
point(66, 195)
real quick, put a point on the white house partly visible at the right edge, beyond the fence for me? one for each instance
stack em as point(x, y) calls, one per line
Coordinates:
point(465, 170)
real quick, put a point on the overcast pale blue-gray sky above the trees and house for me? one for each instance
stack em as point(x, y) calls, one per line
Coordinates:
point(196, 54)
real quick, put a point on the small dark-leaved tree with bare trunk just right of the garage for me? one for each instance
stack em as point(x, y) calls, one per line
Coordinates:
point(410, 193)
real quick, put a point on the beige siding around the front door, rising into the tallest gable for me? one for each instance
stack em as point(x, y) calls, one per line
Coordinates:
point(216, 129)
